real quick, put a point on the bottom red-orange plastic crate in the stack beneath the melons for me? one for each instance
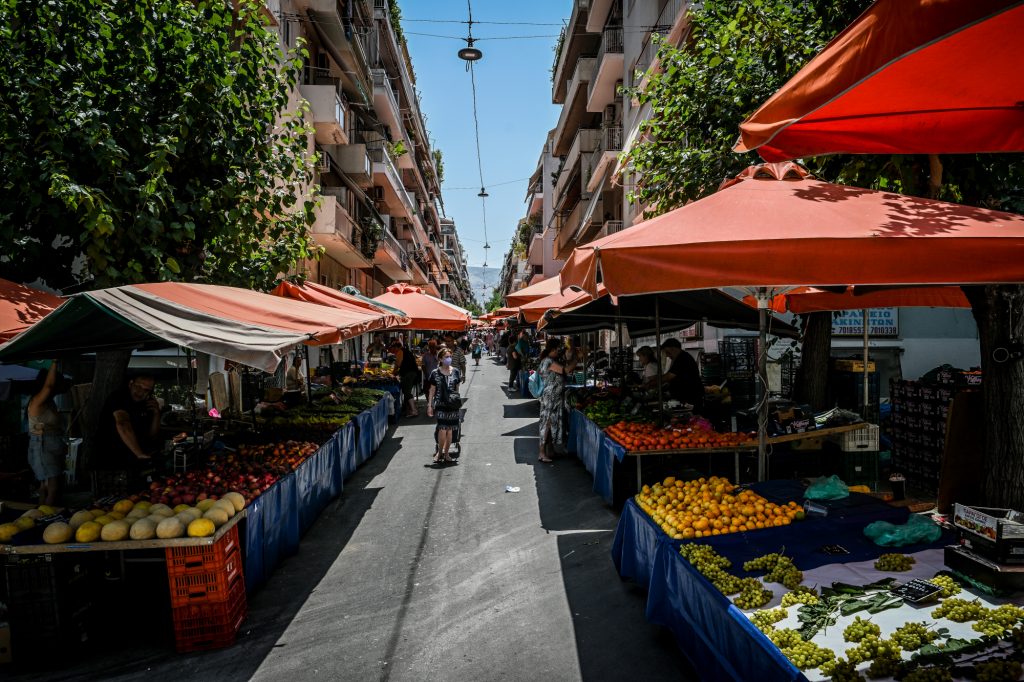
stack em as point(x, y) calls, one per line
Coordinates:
point(210, 625)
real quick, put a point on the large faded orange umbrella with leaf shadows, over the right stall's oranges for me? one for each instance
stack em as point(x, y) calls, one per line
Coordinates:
point(776, 227)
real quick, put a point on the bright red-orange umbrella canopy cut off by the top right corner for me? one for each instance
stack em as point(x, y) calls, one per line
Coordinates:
point(908, 77)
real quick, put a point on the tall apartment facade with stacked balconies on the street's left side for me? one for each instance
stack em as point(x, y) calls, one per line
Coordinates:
point(380, 218)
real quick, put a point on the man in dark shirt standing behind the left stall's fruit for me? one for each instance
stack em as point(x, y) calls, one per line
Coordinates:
point(130, 425)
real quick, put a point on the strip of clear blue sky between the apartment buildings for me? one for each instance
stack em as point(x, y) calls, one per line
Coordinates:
point(515, 110)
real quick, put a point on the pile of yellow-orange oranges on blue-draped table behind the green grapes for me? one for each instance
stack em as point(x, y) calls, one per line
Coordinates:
point(711, 507)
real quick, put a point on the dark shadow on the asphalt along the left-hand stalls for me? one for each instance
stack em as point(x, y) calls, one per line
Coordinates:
point(272, 608)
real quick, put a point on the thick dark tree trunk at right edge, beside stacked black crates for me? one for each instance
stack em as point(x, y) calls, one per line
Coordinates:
point(1000, 314)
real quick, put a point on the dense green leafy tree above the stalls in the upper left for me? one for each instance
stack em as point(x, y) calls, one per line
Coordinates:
point(150, 141)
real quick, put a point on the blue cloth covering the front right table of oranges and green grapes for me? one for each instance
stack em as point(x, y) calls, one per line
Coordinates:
point(717, 637)
